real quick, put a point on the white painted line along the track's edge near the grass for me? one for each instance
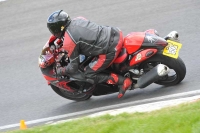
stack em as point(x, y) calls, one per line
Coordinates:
point(196, 92)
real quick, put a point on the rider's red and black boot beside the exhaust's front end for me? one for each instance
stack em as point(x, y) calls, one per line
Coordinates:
point(125, 86)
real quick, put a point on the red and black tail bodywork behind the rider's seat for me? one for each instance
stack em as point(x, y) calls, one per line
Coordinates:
point(138, 47)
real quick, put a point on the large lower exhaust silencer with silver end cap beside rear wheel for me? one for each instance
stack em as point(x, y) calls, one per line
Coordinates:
point(152, 76)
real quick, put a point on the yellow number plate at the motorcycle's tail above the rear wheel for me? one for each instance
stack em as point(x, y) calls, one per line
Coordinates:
point(172, 49)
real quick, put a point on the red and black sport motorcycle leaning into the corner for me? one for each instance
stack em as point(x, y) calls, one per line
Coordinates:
point(145, 58)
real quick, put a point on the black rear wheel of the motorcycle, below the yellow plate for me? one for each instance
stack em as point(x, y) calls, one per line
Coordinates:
point(176, 66)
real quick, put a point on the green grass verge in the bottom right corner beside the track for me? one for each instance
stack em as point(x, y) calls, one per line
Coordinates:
point(180, 119)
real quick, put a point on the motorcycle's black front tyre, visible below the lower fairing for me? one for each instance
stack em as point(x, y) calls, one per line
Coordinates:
point(71, 96)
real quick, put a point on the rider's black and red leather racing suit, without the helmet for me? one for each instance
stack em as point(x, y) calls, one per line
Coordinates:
point(90, 39)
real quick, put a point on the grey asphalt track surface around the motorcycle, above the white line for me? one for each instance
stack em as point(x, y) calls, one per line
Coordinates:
point(24, 93)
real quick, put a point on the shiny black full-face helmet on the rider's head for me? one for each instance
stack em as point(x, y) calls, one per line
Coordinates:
point(57, 22)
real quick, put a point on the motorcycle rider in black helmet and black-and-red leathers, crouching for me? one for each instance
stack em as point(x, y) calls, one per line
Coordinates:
point(81, 36)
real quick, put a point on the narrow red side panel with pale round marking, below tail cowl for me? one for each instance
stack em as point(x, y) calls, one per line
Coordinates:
point(141, 56)
